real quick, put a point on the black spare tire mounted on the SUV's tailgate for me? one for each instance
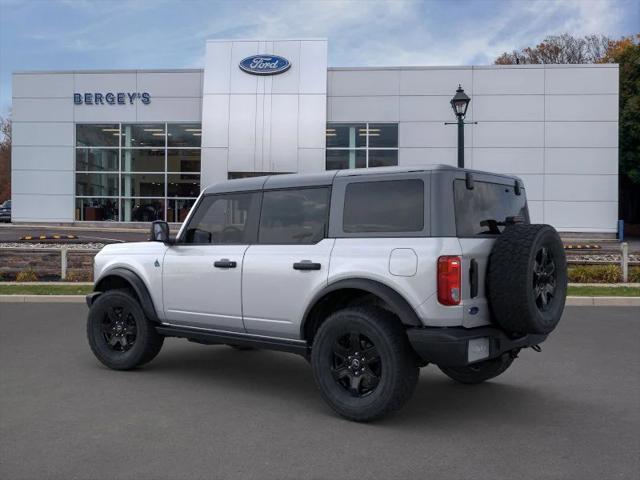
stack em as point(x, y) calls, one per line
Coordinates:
point(527, 279)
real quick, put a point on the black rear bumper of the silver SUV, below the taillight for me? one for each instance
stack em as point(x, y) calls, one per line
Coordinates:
point(458, 346)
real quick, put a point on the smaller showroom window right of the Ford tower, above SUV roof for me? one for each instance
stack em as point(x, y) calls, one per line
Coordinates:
point(361, 145)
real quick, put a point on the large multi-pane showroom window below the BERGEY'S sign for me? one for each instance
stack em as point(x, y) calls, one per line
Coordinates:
point(137, 172)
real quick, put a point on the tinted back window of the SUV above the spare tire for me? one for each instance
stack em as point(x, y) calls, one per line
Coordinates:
point(484, 209)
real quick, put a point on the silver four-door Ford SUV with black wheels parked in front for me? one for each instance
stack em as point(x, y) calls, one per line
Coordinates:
point(369, 274)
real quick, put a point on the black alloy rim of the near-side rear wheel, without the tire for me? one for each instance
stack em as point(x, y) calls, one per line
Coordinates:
point(357, 366)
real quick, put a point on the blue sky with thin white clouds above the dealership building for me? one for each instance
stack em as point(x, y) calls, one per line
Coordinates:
point(106, 34)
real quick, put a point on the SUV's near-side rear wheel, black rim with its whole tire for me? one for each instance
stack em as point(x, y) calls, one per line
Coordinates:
point(362, 363)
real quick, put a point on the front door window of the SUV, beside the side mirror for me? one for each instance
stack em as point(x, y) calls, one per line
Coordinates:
point(224, 219)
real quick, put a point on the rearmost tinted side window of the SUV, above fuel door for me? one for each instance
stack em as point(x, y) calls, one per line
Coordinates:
point(384, 206)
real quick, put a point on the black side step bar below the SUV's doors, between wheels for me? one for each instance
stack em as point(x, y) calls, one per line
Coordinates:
point(213, 337)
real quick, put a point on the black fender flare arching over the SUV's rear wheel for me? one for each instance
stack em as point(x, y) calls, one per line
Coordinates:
point(396, 302)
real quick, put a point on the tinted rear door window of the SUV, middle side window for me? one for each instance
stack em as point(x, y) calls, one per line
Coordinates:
point(294, 216)
